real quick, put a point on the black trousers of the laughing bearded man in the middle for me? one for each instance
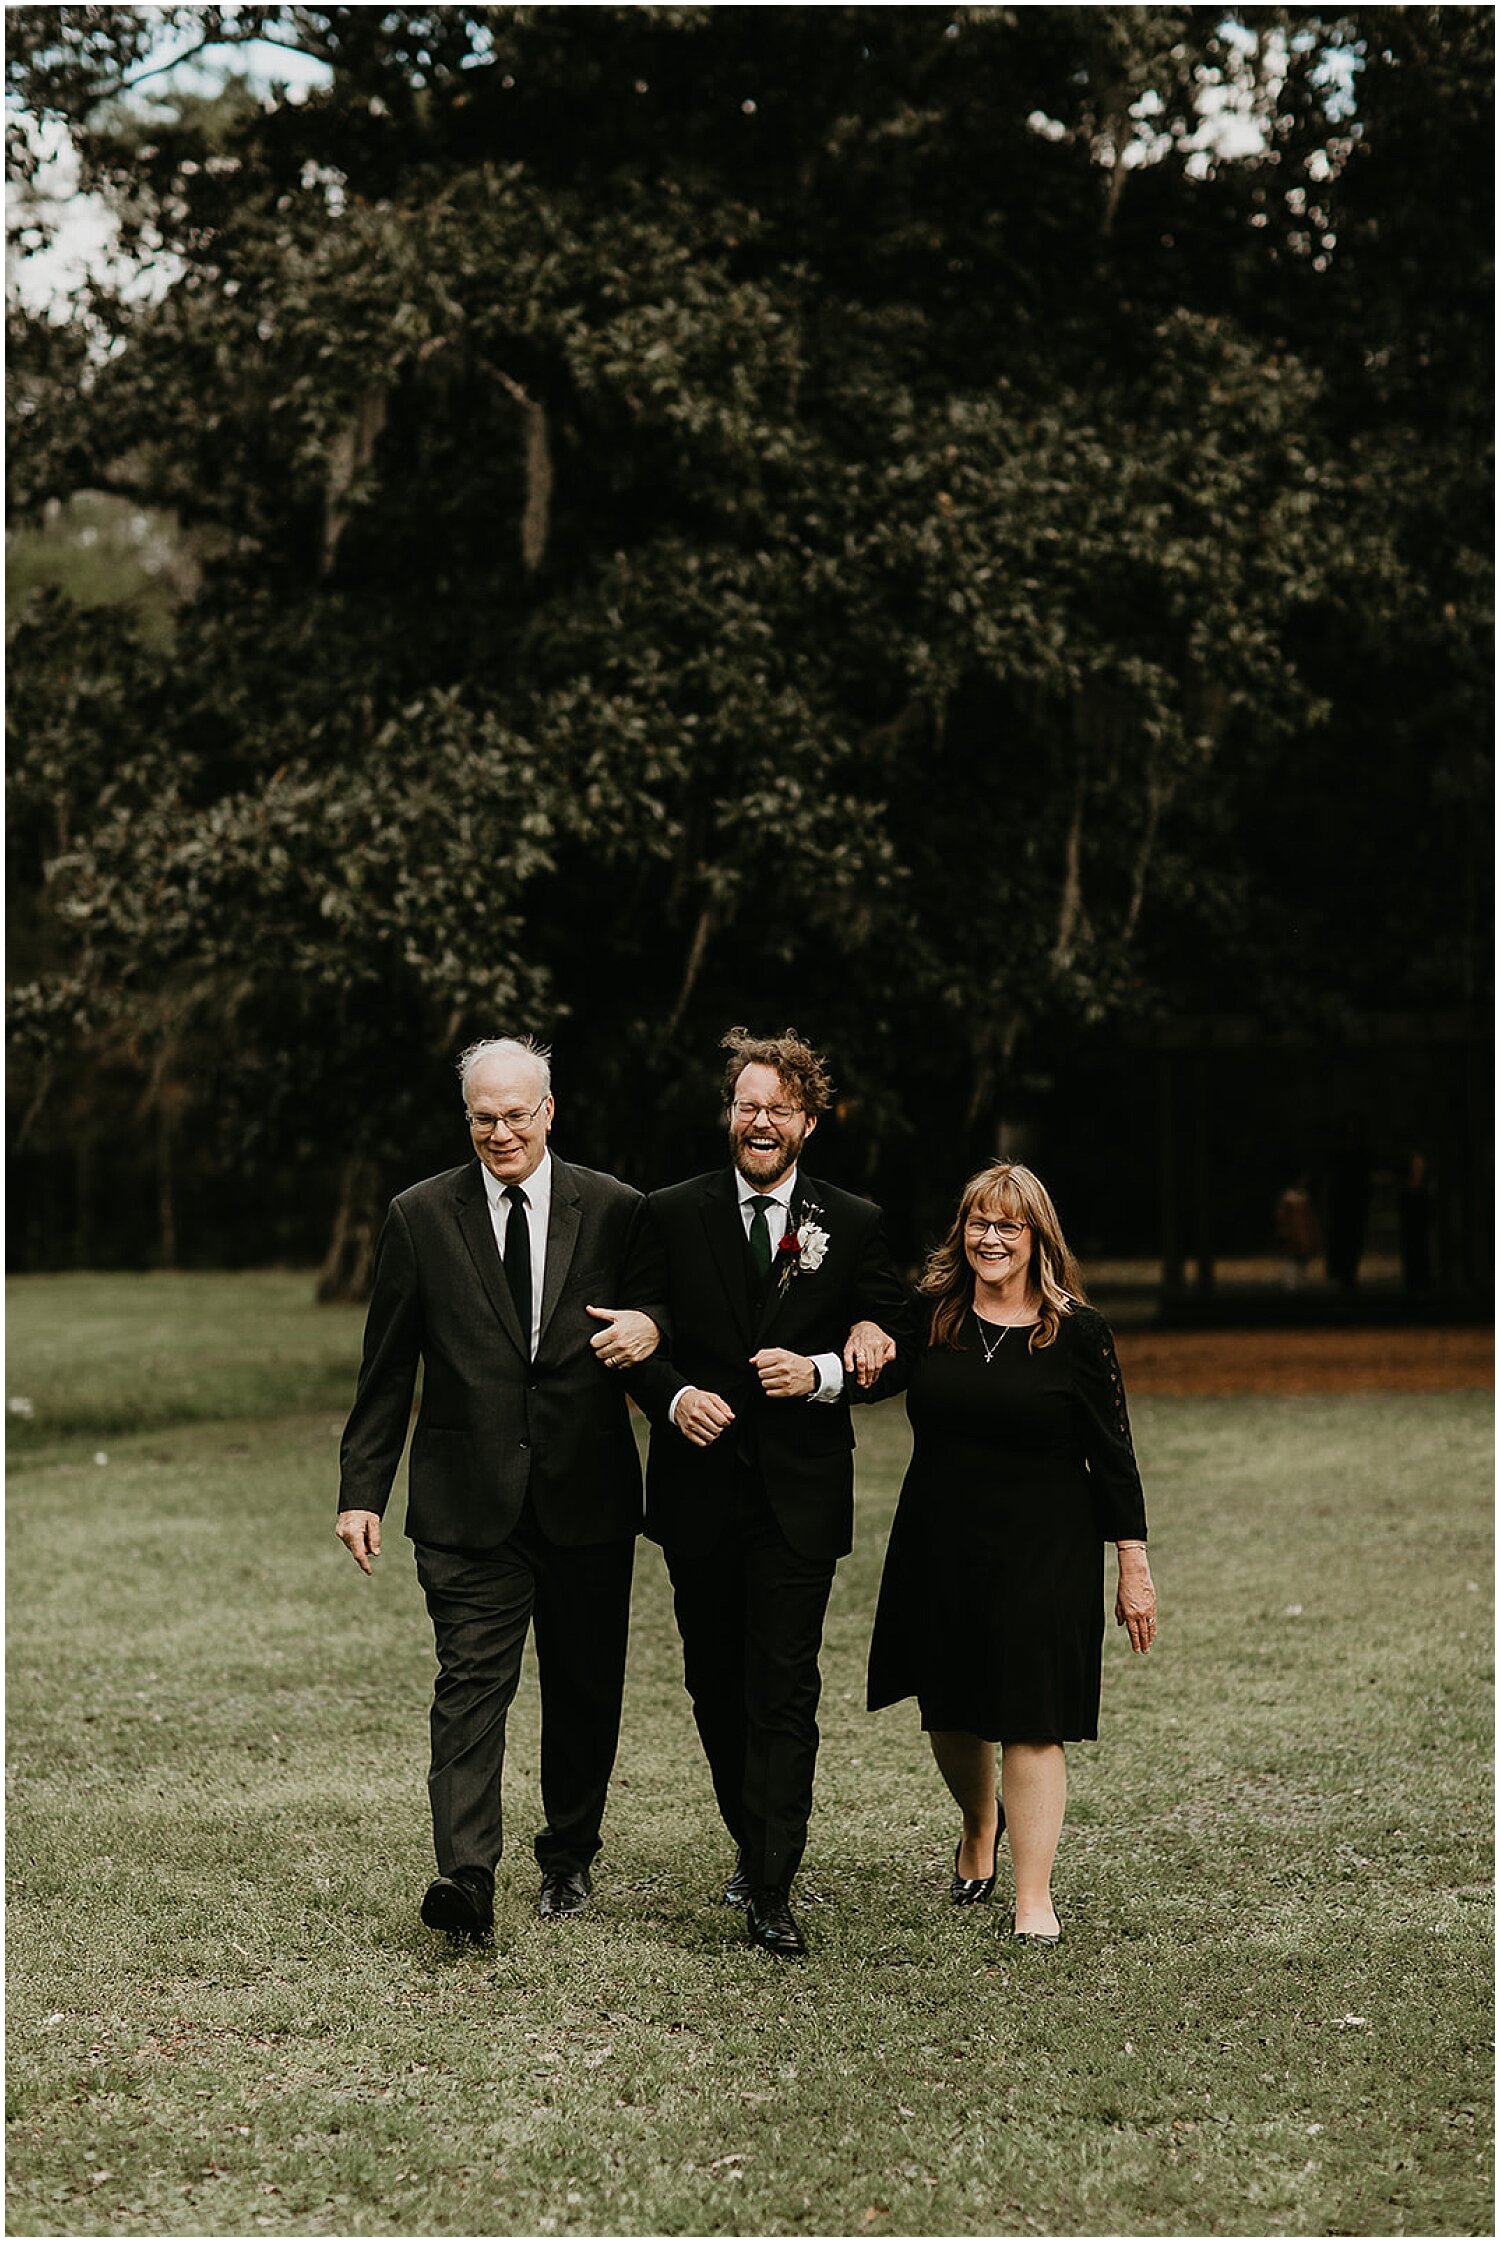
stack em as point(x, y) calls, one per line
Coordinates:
point(750, 1613)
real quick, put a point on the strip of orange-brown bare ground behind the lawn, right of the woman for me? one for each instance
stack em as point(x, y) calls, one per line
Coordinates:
point(1306, 1362)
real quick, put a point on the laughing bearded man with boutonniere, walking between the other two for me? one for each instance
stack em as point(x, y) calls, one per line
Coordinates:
point(784, 1308)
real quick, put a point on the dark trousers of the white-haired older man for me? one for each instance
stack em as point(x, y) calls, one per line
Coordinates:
point(481, 1604)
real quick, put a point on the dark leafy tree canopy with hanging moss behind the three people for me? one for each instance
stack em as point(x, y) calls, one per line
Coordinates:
point(959, 530)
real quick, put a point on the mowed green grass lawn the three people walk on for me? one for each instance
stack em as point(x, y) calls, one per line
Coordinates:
point(1270, 2017)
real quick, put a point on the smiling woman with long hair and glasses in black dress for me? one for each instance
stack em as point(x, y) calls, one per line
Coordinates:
point(992, 1600)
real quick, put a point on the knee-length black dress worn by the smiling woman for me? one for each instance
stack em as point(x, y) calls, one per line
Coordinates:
point(992, 1600)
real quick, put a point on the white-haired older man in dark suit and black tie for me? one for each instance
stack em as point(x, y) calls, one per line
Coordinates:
point(526, 1485)
